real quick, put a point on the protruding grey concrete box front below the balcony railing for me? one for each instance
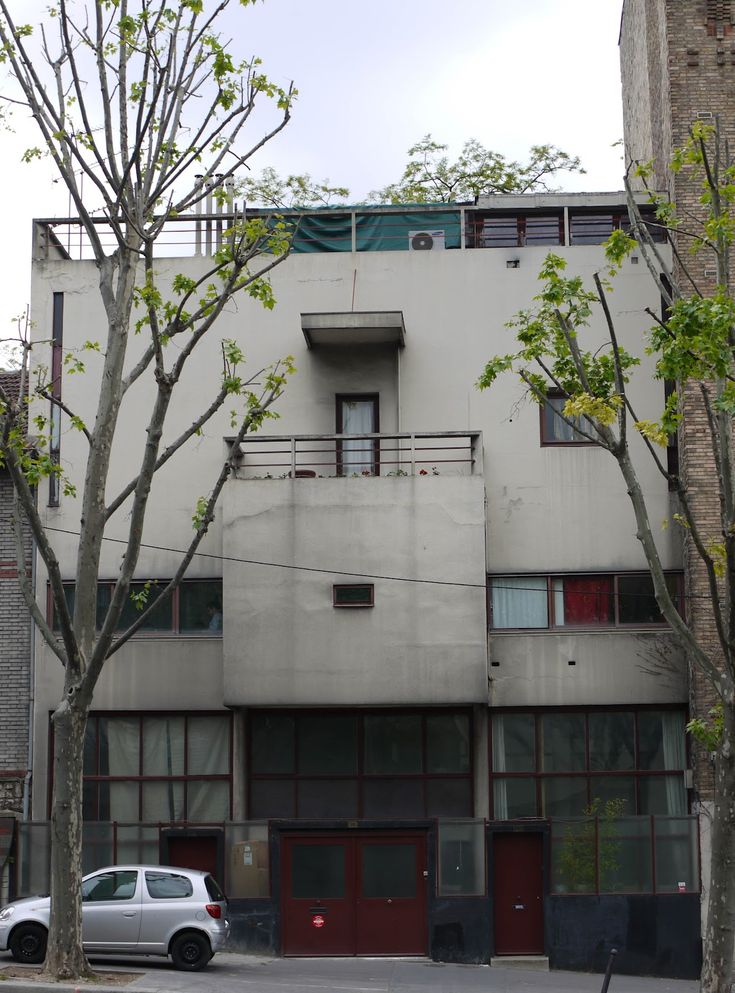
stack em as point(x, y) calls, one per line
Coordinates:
point(423, 642)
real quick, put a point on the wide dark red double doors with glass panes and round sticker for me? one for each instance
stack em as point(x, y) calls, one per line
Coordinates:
point(358, 894)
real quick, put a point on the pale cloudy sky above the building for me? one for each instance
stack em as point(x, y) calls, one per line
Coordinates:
point(373, 78)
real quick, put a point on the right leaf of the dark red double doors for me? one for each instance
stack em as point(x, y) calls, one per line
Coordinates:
point(391, 901)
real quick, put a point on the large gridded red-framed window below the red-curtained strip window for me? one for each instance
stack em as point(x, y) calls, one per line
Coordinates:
point(572, 763)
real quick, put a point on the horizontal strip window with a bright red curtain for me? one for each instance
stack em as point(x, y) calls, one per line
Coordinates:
point(591, 601)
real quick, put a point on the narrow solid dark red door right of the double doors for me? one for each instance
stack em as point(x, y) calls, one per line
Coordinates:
point(518, 905)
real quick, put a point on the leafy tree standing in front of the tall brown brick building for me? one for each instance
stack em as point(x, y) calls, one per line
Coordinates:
point(693, 346)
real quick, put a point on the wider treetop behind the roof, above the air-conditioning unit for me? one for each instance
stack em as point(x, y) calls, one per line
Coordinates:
point(431, 177)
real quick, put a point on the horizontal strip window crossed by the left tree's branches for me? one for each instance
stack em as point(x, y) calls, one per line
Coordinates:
point(195, 607)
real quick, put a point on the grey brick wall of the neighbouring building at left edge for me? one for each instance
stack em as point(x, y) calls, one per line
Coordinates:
point(15, 647)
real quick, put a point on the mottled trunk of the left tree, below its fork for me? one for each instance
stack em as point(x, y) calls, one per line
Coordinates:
point(65, 958)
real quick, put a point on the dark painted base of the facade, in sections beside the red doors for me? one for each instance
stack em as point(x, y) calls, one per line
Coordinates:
point(654, 935)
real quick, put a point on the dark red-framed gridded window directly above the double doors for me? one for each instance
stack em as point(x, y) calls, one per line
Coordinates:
point(381, 764)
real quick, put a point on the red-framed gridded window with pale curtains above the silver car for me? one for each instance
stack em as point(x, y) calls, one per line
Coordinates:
point(158, 767)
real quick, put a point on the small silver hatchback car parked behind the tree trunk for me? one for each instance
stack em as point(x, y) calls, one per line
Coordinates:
point(131, 910)
